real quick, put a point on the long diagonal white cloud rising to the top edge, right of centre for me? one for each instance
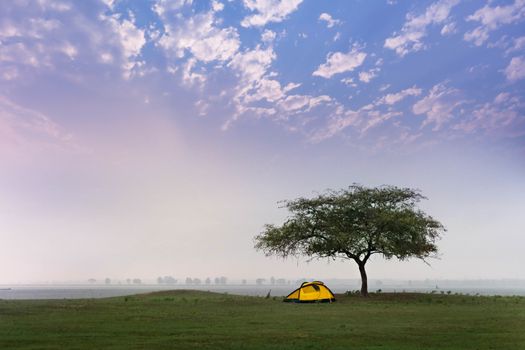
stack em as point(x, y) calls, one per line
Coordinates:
point(415, 28)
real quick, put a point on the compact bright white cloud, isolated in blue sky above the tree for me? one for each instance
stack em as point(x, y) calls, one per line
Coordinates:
point(338, 62)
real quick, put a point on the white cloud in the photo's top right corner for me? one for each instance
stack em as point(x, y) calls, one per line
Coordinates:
point(491, 18)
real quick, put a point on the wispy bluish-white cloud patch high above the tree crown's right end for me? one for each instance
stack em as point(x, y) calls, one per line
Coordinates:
point(438, 105)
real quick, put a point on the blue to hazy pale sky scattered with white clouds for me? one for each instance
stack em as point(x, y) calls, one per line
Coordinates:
point(151, 138)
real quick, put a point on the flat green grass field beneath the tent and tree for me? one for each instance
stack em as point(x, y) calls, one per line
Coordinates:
point(200, 320)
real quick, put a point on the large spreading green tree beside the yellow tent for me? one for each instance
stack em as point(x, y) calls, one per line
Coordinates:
point(355, 223)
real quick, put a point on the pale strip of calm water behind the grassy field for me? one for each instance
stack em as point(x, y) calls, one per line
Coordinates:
point(103, 291)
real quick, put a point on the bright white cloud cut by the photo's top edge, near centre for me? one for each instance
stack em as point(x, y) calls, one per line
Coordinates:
point(268, 11)
